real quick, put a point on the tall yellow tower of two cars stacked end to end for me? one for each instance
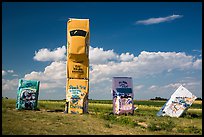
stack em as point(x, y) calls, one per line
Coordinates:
point(77, 85)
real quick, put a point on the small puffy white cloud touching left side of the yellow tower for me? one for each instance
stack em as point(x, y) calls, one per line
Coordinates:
point(47, 55)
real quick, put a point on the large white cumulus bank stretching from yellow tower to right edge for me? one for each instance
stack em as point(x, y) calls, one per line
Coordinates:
point(147, 63)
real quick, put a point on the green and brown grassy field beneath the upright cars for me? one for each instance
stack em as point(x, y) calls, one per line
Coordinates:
point(49, 119)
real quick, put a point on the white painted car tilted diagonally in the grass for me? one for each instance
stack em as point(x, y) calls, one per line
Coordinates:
point(178, 103)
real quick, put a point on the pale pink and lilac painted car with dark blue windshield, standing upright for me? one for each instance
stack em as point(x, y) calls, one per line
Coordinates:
point(122, 90)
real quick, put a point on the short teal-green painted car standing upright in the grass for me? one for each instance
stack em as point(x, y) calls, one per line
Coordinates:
point(27, 94)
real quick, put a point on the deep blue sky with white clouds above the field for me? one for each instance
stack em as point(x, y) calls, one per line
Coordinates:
point(158, 44)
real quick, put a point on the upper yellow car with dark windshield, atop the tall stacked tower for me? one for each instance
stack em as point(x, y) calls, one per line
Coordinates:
point(78, 48)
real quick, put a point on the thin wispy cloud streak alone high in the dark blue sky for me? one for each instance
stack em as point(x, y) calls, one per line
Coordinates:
point(158, 20)
